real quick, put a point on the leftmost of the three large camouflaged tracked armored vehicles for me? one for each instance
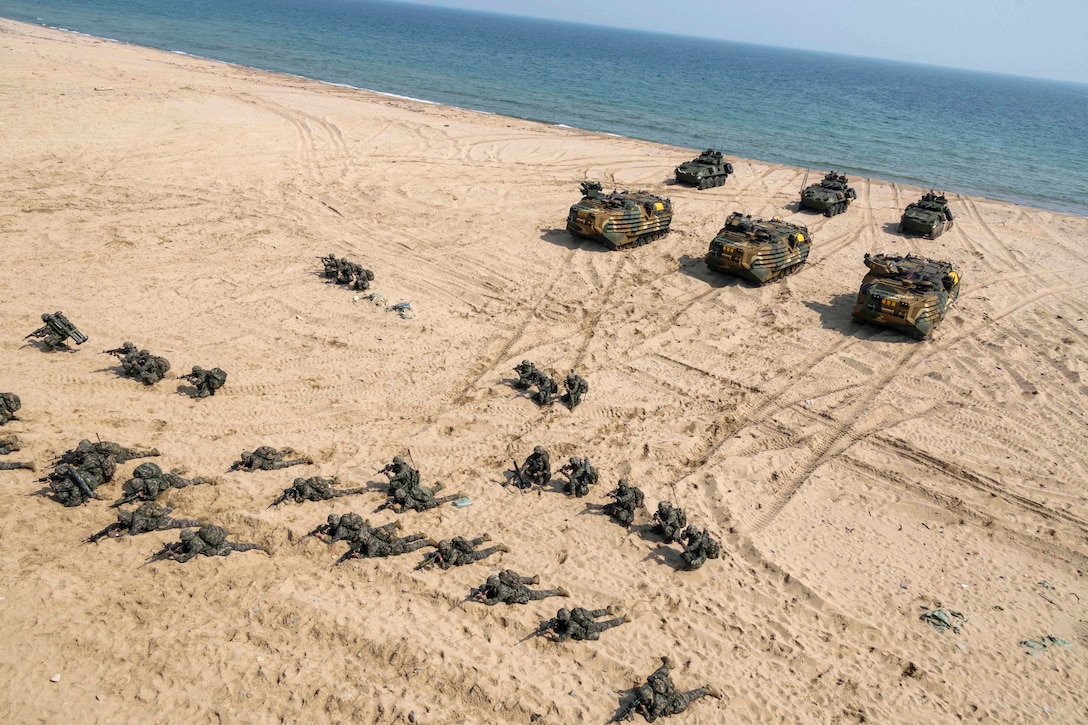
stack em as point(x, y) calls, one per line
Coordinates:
point(621, 219)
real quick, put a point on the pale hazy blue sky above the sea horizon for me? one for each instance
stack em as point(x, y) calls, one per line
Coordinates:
point(1044, 39)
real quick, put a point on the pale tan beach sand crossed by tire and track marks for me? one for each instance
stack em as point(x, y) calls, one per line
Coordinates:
point(855, 476)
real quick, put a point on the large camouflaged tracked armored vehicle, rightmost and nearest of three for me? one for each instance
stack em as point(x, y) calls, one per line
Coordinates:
point(911, 294)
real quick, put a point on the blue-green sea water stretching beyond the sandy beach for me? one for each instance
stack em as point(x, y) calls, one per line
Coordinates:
point(1011, 139)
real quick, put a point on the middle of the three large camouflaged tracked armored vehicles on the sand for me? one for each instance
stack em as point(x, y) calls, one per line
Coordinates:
point(759, 251)
